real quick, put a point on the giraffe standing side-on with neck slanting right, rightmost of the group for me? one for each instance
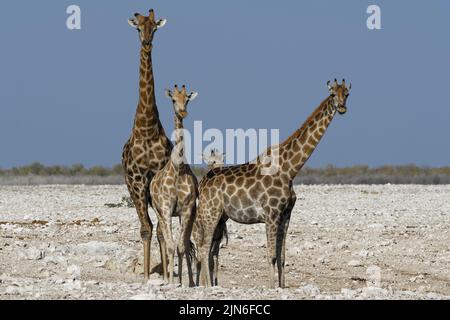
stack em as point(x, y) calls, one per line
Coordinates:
point(248, 194)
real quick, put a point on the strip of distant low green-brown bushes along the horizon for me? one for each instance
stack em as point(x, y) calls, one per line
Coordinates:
point(37, 174)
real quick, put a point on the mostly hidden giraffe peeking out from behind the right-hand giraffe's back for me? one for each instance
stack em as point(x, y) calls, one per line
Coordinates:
point(214, 160)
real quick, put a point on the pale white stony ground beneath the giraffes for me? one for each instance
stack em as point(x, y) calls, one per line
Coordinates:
point(345, 242)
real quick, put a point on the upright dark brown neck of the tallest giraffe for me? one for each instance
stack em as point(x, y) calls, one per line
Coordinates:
point(146, 124)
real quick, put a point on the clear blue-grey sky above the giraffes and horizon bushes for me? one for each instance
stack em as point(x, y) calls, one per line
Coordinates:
point(70, 96)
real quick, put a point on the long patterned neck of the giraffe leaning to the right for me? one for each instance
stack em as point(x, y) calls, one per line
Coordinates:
point(297, 149)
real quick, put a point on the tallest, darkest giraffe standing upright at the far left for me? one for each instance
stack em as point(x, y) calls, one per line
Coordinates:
point(148, 148)
